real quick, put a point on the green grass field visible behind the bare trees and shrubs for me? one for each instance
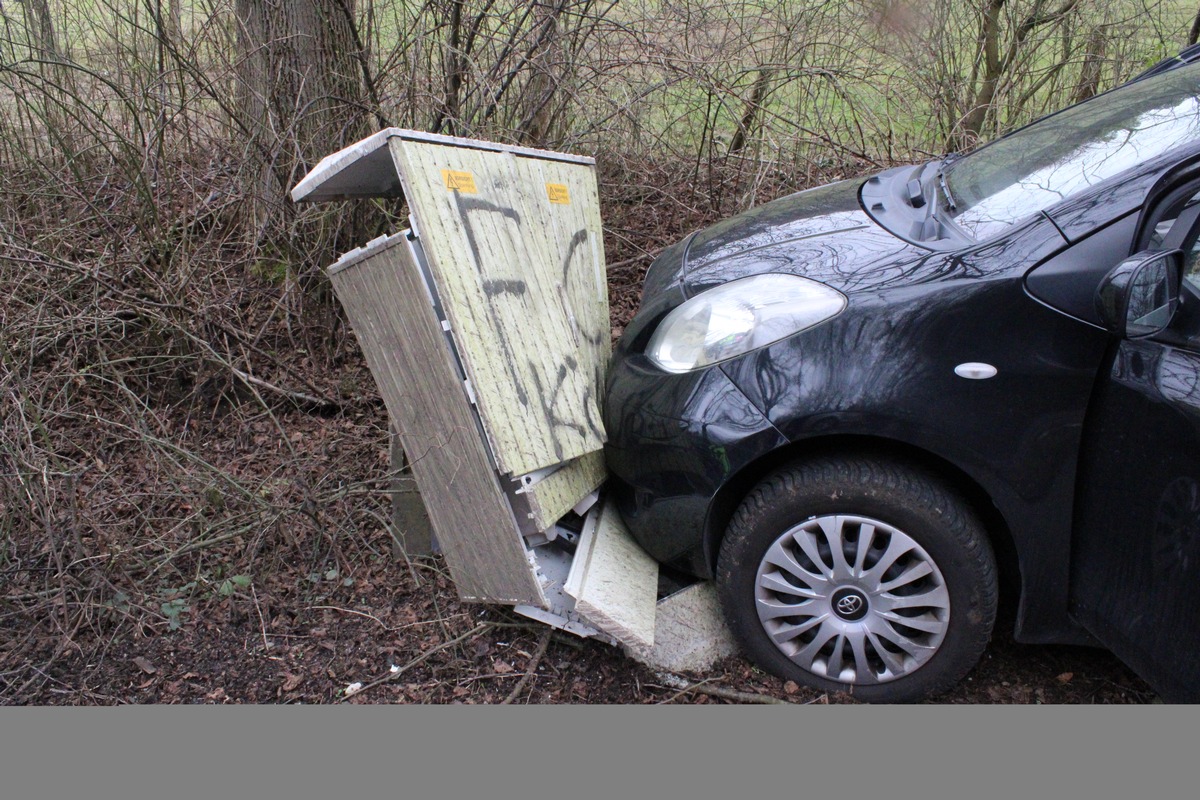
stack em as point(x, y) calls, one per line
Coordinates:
point(691, 97)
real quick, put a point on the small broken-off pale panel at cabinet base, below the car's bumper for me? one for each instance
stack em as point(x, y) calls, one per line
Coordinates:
point(615, 582)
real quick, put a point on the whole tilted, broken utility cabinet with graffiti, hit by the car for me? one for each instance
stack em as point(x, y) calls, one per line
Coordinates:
point(487, 328)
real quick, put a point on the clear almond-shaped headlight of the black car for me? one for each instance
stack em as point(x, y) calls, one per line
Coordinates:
point(739, 317)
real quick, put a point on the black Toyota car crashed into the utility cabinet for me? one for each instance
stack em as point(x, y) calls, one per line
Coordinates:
point(868, 408)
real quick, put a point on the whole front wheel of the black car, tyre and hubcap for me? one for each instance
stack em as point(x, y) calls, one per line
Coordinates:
point(905, 611)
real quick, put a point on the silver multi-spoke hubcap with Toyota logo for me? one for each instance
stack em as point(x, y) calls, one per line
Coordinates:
point(853, 599)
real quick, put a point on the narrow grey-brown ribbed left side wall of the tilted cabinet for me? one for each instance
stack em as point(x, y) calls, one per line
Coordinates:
point(388, 306)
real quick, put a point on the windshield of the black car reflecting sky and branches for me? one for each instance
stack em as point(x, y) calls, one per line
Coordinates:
point(1070, 152)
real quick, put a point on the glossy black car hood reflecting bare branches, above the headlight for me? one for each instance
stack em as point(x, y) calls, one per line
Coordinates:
point(821, 234)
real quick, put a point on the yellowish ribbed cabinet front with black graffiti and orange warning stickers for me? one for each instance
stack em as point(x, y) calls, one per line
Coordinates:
point(514, 269)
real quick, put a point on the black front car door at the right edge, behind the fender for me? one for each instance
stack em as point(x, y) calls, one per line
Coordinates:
point(1136, 551)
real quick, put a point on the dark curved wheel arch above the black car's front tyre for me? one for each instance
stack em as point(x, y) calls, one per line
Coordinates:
point(731, 495)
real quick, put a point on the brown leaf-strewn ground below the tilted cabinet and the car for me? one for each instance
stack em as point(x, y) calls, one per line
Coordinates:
point(389, 634)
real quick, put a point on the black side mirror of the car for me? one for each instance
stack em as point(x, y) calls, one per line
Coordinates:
point(1139, 297)
